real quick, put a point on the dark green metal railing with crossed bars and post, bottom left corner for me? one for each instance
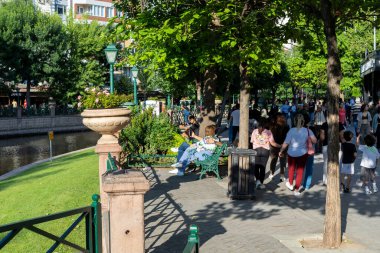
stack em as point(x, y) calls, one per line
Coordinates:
point(92, 217)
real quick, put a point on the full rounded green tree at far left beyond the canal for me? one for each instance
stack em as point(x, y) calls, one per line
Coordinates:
point(34, 47)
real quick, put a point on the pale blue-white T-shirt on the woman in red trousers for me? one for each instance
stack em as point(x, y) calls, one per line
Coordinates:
point(296, 138)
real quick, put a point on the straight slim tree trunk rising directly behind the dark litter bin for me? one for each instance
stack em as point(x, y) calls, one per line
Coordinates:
point(244, 108)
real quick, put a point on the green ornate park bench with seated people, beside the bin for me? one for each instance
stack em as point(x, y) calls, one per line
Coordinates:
point(211, 163)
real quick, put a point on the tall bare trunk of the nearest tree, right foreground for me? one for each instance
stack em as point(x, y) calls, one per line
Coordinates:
point(332, 236)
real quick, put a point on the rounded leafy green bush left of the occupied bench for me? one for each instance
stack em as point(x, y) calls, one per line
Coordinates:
point(148, 134)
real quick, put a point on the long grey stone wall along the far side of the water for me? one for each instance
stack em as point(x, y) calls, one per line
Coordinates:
point(40, 124)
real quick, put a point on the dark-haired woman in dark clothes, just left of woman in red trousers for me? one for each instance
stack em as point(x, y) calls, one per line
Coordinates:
point(279, 128)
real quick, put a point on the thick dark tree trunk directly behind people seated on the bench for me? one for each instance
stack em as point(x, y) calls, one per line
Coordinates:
point(208, 109)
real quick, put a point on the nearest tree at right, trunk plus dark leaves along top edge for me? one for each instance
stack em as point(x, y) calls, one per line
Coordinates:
point(332, 14)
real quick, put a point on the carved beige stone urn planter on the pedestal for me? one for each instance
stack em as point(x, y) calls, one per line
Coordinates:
point(106, 122)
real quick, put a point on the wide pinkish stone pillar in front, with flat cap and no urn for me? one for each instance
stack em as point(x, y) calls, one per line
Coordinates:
point(125, 192)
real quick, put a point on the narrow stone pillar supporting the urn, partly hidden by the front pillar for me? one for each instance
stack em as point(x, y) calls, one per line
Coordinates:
point(102, 150)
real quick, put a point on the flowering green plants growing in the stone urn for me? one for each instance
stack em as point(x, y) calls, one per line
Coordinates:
point(96, 98)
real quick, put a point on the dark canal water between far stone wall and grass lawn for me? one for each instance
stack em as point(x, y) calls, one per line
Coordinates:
point(19, 151)
